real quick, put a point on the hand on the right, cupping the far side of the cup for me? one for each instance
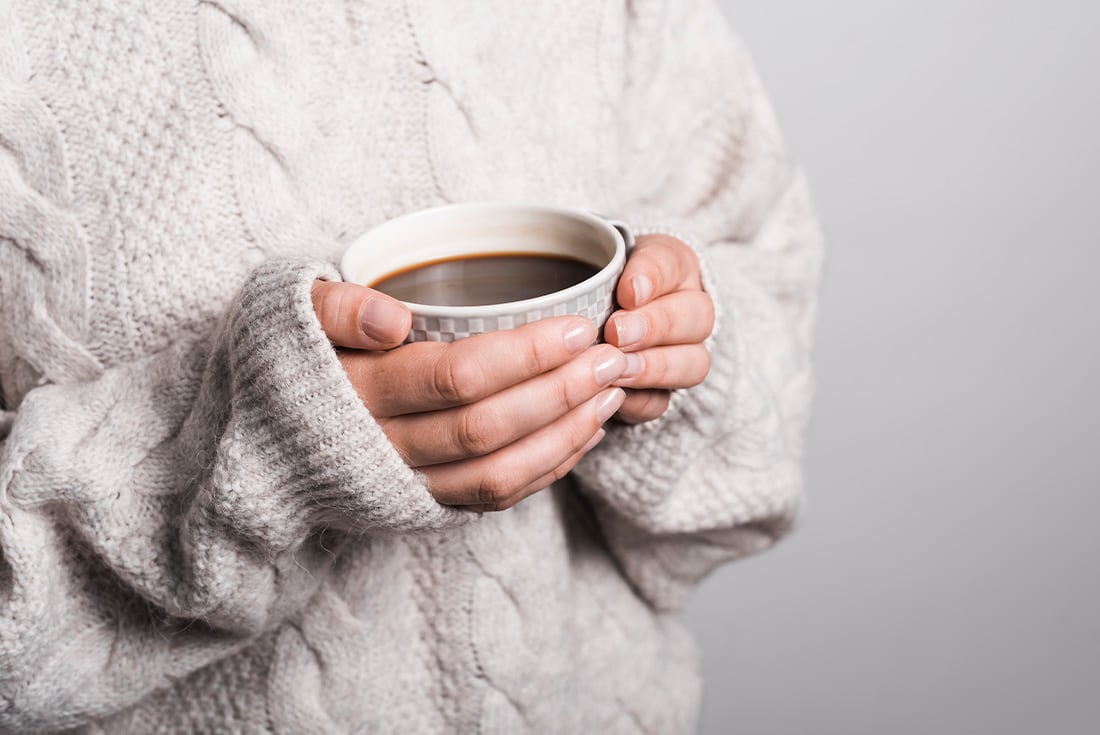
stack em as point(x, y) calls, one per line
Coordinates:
point(665, 319)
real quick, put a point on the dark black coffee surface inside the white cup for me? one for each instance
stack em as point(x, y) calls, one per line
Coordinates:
point(490, 279)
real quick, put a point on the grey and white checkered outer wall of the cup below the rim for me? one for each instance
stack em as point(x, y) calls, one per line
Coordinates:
point(596, 304)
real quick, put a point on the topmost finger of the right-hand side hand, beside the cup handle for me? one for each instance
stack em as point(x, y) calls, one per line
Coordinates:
point(659, 265)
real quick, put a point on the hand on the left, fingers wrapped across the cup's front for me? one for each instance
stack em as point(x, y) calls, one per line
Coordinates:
point(488, 420)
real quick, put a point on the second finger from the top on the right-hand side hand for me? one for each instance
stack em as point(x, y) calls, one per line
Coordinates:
point(685, 317)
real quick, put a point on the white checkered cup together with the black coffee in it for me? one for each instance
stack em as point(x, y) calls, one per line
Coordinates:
point(470, 269)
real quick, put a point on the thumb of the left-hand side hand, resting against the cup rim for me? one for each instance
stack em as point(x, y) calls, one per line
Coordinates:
point(359, 317)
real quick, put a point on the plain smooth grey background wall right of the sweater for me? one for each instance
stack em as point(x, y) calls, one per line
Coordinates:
point(944, 579)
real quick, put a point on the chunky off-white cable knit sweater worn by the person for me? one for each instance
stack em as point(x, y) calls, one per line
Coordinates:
point(202, 528)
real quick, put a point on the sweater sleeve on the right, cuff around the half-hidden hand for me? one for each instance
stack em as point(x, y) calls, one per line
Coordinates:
point(719, 477)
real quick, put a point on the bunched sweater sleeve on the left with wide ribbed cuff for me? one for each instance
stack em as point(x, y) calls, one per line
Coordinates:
point(163, 514)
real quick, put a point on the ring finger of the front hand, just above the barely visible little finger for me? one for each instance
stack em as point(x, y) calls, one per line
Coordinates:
point(501, 478)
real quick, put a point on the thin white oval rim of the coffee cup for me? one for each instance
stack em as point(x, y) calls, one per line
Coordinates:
point(610, 271)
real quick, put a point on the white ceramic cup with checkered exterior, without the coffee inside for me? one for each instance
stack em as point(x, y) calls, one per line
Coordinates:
point(477, 229)
